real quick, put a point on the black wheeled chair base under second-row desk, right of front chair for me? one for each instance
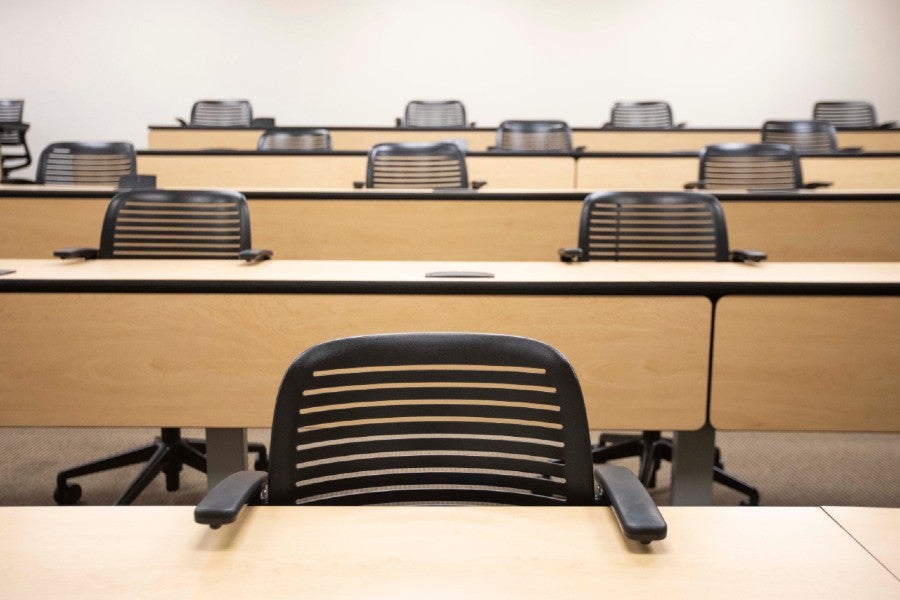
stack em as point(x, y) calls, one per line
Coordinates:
point(652, 448)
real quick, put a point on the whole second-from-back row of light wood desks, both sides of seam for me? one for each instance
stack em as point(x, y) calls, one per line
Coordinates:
point(619, 171)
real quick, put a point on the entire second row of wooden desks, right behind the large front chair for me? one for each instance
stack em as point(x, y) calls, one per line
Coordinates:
point(205, 343)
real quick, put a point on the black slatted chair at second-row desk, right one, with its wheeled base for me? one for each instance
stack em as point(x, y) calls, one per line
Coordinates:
point(655, 226)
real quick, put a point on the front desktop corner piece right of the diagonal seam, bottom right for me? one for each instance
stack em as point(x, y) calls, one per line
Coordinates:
point(876, 529)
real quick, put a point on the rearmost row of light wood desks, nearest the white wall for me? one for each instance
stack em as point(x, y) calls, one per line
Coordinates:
point(480, 139)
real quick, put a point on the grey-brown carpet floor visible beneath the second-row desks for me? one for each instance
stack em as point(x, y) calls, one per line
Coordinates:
point(789, 469)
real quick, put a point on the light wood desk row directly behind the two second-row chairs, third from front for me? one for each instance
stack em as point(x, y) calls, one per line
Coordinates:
point(821, 225)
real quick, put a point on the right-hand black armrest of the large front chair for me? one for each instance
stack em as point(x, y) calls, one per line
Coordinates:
point(638, 515)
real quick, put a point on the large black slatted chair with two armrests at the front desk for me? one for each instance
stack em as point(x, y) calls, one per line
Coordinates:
point(433, 418)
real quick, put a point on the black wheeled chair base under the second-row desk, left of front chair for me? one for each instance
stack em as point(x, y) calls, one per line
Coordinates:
point(167, 454)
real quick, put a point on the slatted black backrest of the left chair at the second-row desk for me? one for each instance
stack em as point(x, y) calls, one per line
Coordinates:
point(176, 224)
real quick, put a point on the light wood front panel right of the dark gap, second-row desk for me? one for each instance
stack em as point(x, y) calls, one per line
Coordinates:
point(806, 363)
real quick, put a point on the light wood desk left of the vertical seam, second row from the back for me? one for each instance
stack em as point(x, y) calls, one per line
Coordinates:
point(337, 169)
